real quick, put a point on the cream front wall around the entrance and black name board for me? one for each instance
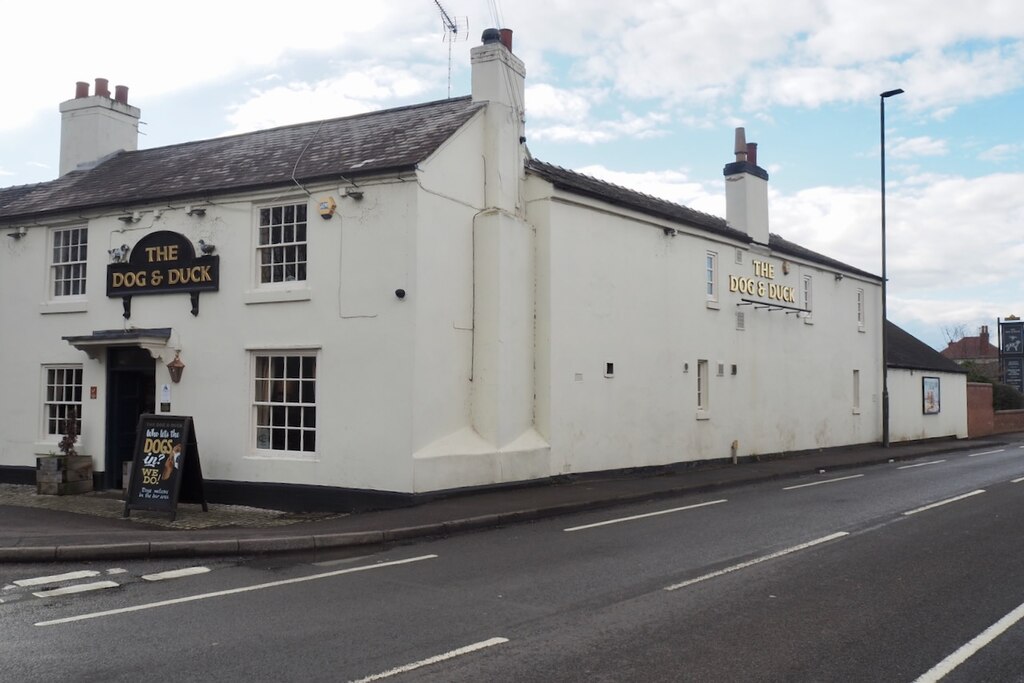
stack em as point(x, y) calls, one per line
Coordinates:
point(348, 312)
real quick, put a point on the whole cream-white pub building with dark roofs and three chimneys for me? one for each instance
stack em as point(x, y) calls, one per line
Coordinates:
point(363, 311)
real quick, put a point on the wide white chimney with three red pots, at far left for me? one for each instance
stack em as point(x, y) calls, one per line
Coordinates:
point(93, 129)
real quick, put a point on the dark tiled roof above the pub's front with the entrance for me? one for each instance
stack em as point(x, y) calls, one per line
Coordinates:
point(379, 142)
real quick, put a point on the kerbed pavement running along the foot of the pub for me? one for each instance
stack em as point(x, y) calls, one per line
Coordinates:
point(92, 527)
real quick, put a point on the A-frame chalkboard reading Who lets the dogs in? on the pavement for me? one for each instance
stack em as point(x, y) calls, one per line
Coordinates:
point(165, 465)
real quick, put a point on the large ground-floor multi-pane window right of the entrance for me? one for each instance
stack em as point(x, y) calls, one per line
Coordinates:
point(285, 402)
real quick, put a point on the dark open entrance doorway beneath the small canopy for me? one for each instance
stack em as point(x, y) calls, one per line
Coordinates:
point(132, 389)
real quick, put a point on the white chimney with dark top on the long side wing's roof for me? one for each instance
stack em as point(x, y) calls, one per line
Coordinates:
point(747, 191)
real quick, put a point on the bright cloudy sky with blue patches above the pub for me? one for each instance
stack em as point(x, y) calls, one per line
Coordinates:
point(643, 95)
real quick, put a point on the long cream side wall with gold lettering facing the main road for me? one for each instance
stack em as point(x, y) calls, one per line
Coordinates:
point(617, 289)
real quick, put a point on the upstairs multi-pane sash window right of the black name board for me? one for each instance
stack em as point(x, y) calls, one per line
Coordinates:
point(281, 245)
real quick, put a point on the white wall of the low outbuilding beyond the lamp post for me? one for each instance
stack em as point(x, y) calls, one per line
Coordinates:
point(907, 417)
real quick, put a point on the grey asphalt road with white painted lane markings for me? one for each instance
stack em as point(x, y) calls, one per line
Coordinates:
point(842, 577)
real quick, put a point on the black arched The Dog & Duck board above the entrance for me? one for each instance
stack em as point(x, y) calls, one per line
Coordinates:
point(163, 263)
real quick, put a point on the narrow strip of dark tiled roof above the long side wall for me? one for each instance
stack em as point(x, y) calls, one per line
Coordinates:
point(630, 199)
